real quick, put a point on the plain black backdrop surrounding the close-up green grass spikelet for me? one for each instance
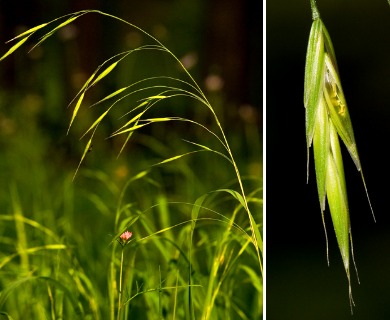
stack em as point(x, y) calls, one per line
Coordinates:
point(299, 283)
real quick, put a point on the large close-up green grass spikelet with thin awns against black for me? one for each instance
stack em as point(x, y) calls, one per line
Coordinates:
point(327, 119)
